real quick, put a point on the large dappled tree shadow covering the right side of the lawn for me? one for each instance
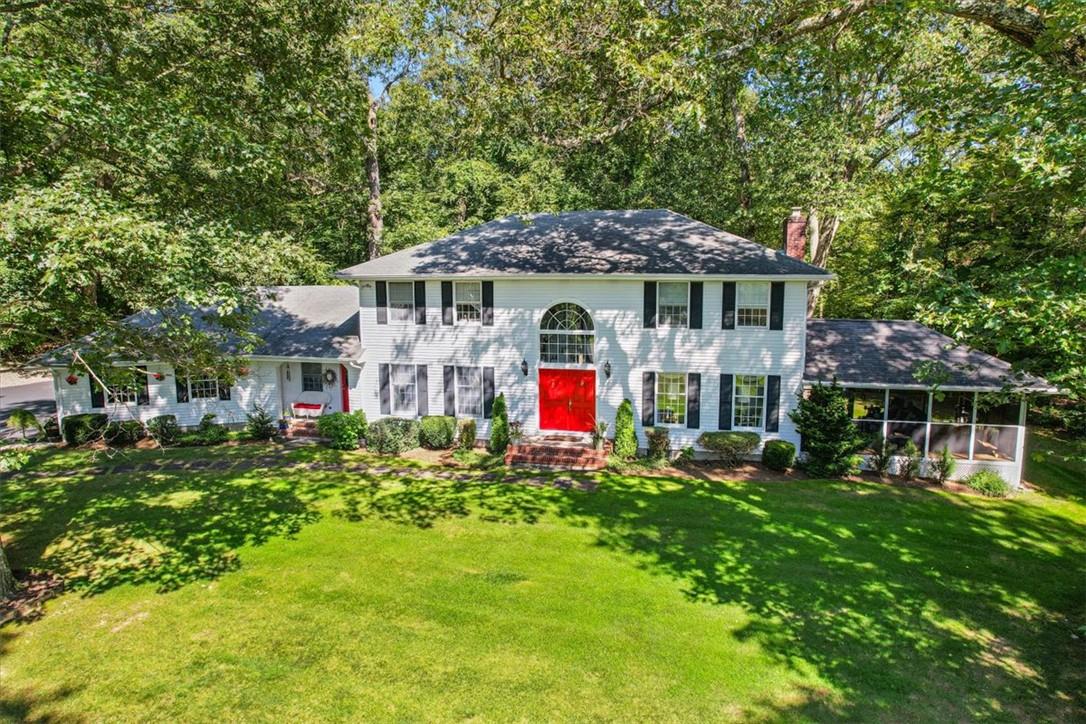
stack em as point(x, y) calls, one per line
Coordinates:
point(908, 604)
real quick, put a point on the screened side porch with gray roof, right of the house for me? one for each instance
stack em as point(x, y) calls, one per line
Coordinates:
point(907, 383)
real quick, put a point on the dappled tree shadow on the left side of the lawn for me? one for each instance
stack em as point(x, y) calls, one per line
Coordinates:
point(163, 529)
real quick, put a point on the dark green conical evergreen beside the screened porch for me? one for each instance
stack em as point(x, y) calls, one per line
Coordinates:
point(830, 439)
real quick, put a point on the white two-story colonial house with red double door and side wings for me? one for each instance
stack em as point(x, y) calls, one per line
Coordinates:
point(567, 315)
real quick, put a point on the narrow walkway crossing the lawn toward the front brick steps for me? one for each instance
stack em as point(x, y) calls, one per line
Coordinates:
point(277, 463)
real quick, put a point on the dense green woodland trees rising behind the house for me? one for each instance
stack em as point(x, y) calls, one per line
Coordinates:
point(194, 150)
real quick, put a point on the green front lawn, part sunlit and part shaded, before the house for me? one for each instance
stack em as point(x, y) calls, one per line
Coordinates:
point(312, 594)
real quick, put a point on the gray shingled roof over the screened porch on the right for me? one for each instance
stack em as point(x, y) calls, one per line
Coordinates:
point(888, 352)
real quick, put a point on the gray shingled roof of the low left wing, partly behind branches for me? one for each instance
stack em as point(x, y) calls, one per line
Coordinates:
point(293, 322)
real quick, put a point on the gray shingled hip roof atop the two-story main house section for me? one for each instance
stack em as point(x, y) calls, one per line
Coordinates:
point(598, 243)
